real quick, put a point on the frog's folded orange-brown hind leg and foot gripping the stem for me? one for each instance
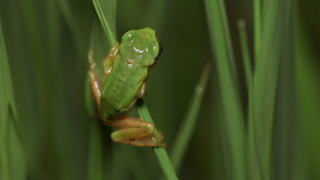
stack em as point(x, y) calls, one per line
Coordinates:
point(135, 132)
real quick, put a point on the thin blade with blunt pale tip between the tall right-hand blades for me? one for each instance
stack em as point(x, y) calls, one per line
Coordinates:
point(245, 53)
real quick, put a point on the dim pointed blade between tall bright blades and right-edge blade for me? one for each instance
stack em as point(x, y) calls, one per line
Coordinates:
point(285, 118)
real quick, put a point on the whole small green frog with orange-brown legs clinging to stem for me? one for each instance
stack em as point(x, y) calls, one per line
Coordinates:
point(126, 70)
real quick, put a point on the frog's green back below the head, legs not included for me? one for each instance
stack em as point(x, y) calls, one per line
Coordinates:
point(121, 88)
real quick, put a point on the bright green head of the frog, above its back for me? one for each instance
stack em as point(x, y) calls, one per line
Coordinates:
point(142, 46)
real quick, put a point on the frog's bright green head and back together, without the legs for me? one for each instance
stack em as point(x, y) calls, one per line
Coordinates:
point(138, 51)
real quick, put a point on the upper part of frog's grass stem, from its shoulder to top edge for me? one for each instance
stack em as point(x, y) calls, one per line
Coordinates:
point(103, 20)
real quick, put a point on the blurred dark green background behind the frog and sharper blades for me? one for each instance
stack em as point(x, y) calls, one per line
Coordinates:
point(47, 44)
